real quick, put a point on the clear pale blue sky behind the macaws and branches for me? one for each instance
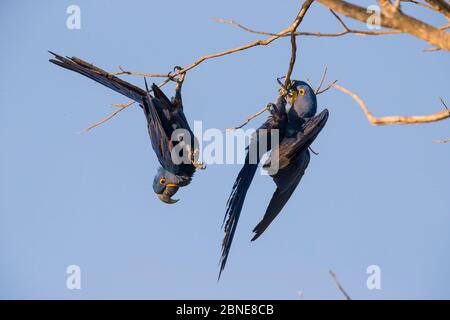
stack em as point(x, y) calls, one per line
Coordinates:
point(374, 195)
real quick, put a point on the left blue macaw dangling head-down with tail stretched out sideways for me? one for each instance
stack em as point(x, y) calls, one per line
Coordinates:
point(163, 116)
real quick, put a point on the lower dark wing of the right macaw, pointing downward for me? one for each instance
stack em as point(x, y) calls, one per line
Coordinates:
point(287, 180)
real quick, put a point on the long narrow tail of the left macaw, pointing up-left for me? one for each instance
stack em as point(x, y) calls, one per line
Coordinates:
point(101, 76)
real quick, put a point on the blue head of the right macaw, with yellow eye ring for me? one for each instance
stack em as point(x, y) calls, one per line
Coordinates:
point(302, 99)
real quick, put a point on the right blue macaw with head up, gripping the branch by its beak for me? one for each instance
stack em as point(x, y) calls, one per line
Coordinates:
point(298, 128)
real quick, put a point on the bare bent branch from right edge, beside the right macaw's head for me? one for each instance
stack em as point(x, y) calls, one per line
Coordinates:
point(389, 120)
